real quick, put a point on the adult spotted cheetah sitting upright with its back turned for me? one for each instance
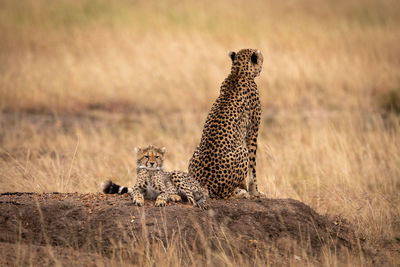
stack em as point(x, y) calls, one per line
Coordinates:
point(228, 144)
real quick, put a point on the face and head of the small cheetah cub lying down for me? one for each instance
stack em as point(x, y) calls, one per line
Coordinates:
point(150, 157)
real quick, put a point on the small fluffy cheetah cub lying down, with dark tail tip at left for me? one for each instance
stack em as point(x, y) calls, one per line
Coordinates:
point(154, 183)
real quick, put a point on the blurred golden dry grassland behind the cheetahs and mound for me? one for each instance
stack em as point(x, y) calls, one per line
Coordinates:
point(84, 82)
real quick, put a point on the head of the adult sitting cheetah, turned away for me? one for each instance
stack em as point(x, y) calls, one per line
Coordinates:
point(246, 62)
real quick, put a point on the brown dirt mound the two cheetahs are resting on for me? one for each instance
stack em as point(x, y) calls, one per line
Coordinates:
point(104, 224)
